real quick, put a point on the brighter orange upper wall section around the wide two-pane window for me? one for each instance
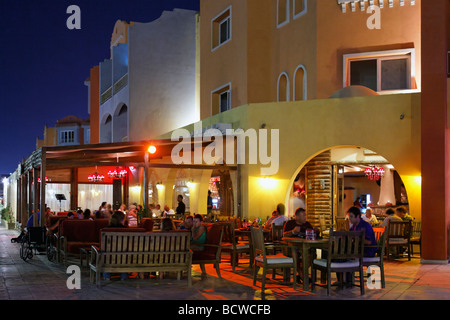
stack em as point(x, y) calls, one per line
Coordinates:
point(341, 33)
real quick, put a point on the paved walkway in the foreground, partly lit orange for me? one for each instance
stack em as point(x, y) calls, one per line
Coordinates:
point(39, 279)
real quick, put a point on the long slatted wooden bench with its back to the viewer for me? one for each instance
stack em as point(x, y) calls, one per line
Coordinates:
point(122, 251)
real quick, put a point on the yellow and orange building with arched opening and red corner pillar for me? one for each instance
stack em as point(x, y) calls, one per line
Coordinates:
point(297, 66)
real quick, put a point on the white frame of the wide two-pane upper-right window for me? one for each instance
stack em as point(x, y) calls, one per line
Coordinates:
point(380, 56)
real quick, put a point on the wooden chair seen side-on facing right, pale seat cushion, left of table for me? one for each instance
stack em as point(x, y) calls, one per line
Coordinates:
point(267, 262)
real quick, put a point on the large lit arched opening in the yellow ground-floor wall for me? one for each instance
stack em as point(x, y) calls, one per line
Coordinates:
point(332, 181)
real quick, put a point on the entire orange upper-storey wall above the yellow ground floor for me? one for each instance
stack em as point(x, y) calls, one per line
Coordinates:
point(260, 51)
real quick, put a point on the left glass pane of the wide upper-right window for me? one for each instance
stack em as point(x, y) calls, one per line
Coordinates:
point(364, 73)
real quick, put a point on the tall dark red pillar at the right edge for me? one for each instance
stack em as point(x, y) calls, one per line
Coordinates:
point(434, 133)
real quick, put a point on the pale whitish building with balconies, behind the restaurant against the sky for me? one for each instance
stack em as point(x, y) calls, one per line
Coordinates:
point(149, 85)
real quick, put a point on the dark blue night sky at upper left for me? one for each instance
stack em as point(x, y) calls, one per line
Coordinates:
point(43, 64)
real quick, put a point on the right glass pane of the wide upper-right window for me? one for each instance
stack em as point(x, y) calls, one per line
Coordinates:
point(394, 74)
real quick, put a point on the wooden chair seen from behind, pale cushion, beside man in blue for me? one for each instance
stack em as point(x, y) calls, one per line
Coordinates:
point(346, 246)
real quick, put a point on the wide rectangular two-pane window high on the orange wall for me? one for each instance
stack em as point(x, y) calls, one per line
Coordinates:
point(381, 71)
